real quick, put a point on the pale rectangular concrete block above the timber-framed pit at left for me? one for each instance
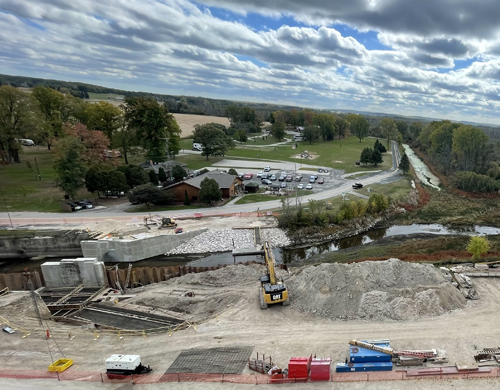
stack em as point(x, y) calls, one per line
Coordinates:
point(74, 272)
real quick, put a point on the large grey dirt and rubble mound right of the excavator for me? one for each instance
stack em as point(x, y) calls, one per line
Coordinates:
point(377, 291)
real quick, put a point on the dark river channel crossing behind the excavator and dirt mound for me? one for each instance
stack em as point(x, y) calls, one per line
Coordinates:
point(286, 255)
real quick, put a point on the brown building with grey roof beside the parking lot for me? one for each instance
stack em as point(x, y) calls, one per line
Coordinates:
point(229, 184)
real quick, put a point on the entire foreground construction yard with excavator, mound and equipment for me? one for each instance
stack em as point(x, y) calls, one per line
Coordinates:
point(260, 324)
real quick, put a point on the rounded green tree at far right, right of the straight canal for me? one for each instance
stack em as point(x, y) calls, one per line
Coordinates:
point(469, 145)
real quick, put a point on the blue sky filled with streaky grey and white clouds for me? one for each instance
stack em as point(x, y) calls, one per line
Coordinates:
point(429, 58)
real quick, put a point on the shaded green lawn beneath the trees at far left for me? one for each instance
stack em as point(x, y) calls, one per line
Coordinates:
point(23, 191)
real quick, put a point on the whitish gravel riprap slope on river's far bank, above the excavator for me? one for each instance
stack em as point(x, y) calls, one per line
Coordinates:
point(225, 240)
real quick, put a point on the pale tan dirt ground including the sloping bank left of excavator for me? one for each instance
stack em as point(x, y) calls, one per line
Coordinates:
point(237, 321)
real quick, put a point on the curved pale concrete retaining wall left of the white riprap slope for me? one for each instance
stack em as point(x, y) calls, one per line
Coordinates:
point(131, 250)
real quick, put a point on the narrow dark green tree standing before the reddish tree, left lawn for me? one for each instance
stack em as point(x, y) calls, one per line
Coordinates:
point(69, 166)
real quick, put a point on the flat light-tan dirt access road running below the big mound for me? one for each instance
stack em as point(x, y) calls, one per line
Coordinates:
point(281, 332)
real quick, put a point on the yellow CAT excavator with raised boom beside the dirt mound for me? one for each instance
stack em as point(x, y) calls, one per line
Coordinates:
point(271, 291)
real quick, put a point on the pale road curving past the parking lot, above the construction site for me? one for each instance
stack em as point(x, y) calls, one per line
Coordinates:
point(89, 217)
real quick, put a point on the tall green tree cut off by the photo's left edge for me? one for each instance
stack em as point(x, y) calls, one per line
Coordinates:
point(18, 119)
